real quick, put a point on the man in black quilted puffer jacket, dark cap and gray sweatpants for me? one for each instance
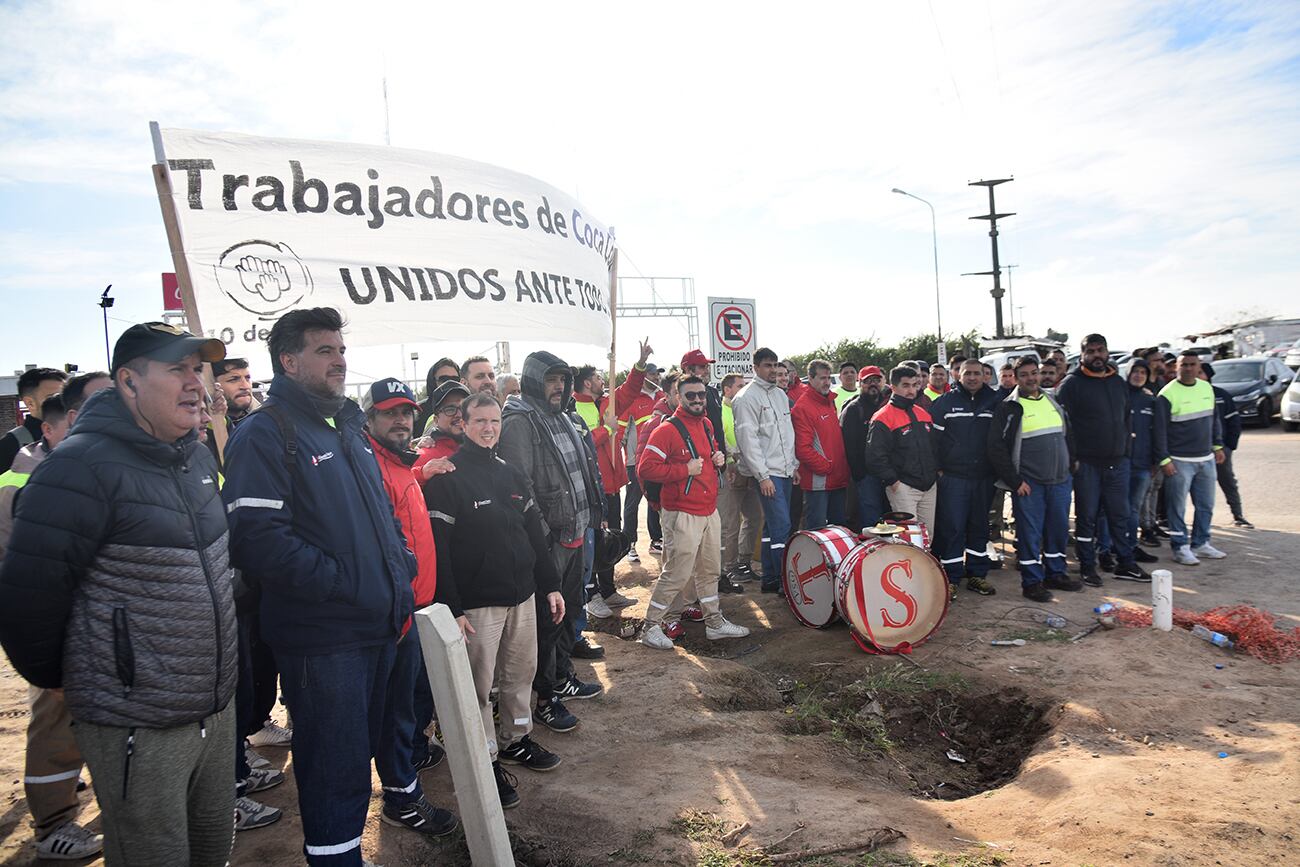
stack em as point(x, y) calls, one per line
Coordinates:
point(118, 589)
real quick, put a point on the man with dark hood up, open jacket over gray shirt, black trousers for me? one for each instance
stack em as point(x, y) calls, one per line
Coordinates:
point(547, 444)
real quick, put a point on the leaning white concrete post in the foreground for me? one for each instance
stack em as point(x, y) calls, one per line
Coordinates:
point(453, 684)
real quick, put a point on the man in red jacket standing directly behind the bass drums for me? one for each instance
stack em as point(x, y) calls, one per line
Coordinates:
point(820, 446)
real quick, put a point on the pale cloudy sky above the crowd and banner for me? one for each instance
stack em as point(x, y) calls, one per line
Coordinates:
point(1156, 150)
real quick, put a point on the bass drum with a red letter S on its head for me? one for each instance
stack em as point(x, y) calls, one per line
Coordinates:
point(892, 596)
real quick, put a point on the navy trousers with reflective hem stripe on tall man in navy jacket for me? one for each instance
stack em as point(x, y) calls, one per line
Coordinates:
point(337, 703)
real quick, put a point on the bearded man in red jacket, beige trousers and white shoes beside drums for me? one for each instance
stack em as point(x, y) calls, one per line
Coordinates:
point(684, 458)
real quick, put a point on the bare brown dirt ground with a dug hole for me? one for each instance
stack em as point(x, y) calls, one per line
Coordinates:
point(1120, 735)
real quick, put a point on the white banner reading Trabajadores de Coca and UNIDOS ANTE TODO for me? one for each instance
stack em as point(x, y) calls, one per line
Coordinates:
point(410, 246)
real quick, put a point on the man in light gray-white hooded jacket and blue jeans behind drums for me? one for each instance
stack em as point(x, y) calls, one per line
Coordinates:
point(766, 440)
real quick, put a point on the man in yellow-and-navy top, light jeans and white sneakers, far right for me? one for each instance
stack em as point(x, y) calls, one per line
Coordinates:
point(1188, 449)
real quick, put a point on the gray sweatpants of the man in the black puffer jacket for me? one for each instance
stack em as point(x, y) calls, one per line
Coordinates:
point(175, 803)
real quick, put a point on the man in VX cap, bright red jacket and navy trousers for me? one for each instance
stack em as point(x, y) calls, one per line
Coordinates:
point(391, 413)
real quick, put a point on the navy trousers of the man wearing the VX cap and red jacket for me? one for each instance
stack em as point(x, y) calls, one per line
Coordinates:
point(397, 739)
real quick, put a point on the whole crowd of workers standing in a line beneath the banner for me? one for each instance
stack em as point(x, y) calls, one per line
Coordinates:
point(176, 560)
